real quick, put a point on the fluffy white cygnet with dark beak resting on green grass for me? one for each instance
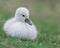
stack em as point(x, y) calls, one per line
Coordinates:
point(20, 25)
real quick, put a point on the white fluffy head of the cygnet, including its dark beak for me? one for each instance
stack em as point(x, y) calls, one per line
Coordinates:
point(22, 15)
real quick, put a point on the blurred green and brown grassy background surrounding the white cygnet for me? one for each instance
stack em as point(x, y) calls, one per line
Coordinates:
point(45, 14)
